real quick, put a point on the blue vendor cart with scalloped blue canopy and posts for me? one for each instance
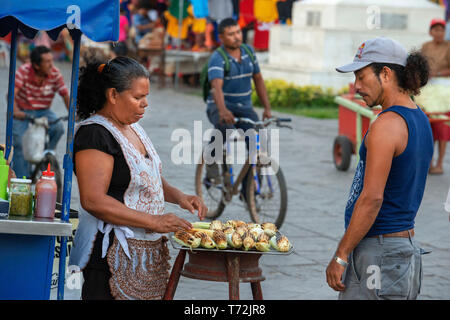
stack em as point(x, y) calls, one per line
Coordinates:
point(26, 244)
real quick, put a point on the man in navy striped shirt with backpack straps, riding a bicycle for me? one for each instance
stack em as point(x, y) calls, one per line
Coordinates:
point(231, 90)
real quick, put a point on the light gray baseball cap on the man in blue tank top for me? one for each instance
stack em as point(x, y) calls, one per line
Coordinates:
point(378, 50)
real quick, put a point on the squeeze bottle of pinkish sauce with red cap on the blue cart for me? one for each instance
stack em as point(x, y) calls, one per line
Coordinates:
point(46, 191)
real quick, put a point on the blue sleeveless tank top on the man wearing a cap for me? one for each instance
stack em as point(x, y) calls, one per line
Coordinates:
point(406, 181)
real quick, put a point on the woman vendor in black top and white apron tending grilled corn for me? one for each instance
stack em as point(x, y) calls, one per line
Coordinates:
point(119, 243)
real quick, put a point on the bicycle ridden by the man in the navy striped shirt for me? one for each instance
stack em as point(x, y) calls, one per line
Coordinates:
point(263, 186)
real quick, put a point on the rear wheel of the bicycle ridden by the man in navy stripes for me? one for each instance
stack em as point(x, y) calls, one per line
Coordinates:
point(211, 193)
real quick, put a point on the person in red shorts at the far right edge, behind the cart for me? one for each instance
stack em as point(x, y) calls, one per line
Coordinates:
point(437, 52)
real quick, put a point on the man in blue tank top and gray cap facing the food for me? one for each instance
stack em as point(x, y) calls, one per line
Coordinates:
point(377, 257)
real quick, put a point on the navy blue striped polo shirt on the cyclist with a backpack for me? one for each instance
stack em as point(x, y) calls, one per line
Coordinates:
point(237, 84)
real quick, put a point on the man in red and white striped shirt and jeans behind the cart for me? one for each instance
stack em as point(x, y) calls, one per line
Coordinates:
point(35, 86)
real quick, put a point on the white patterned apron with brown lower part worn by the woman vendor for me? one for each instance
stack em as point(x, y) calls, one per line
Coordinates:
point(138, 258)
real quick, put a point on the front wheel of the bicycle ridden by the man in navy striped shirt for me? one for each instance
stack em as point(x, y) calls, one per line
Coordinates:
point(269, 203)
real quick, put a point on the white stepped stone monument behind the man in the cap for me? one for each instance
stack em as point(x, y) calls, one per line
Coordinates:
point(327, 33)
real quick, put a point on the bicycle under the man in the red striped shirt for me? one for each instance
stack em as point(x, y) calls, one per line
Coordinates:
point(48, 156)
